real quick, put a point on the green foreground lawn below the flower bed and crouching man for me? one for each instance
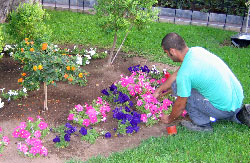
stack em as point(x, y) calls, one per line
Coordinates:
point(228, 143)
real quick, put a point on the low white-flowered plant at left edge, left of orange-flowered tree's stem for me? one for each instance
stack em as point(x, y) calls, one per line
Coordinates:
point(14, 94)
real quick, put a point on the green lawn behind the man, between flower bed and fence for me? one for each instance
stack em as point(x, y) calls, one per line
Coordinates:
point(78, 28)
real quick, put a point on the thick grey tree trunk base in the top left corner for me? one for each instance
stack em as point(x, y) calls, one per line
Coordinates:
point(6, 6)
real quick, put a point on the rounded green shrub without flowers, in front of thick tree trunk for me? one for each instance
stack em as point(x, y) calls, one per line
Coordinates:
point(28, 22)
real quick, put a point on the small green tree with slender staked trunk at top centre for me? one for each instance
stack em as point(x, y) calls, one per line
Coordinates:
point(116, 15)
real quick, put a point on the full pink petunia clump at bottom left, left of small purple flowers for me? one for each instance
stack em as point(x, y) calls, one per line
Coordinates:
point(32, 133)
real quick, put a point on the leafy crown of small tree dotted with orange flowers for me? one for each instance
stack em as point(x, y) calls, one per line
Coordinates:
point(44, 62)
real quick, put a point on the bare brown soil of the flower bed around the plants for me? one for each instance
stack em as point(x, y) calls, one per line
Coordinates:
point(63, 98)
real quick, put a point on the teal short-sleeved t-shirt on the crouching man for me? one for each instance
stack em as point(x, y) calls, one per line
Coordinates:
point(208, 74)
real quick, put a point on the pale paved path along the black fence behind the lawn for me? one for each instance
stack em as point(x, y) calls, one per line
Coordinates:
point(176, 20)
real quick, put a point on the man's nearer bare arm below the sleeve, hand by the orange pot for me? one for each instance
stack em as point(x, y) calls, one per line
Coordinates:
point(177, 110)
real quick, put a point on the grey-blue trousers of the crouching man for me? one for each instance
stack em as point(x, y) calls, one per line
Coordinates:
point(200, 109)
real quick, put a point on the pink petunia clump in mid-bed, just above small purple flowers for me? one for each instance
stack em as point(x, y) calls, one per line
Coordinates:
point(90, 114)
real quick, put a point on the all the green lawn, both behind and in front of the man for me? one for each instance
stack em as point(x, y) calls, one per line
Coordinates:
point(228, 143)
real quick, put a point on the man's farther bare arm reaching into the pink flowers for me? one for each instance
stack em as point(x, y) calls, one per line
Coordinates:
point(166, 85)
